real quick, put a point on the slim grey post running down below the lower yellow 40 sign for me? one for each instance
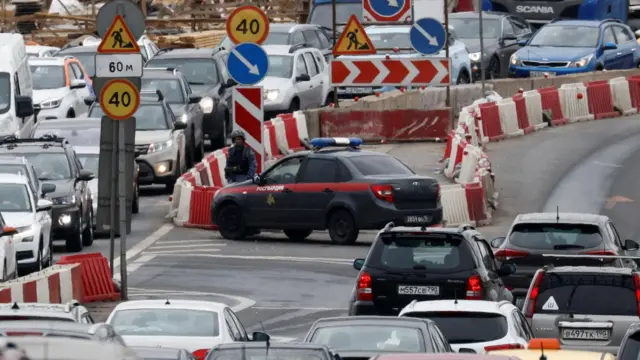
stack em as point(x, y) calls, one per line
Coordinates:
point(122, 195)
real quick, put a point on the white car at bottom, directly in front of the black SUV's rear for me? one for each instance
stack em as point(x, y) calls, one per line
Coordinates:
point(481, 326)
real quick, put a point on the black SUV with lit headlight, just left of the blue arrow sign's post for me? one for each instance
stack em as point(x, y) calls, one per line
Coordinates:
point(206, 73)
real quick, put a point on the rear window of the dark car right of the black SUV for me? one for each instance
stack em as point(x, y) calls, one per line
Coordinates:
point(555, 236)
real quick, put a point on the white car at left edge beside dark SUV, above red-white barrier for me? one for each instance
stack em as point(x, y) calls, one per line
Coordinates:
point(31, 217)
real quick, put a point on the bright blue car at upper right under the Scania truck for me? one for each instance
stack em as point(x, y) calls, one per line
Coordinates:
point(576, 46)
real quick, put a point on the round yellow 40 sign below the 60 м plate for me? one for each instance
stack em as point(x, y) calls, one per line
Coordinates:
point(119, 99)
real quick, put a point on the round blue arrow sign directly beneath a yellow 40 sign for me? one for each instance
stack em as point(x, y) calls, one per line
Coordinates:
point(248, 63)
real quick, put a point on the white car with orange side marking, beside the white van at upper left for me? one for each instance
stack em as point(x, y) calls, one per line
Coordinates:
point(58, 89)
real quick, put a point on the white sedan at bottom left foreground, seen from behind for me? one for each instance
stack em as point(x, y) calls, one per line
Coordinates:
point(194, 325)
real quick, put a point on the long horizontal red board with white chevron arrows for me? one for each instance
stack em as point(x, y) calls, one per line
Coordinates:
point(391, 72)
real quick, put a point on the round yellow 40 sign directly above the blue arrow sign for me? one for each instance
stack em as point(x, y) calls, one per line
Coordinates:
point(247, 24)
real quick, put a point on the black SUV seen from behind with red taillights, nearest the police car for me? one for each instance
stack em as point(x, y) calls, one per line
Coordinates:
point(413, 263)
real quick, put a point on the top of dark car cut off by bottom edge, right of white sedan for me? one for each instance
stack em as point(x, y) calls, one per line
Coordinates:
point(272, 354)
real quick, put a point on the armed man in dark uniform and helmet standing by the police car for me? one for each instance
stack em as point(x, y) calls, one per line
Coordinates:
point(241, 164)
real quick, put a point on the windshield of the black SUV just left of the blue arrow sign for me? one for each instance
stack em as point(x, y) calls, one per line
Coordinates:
point(196, 71)
